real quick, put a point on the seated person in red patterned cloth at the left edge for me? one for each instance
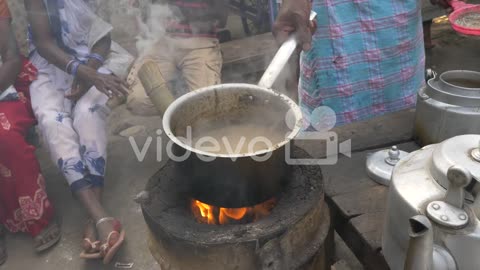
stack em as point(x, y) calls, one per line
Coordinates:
point(24, 206)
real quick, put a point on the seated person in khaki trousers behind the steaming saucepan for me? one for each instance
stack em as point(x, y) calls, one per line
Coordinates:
point(188, 50)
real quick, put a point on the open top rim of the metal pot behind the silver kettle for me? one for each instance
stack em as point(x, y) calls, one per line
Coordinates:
point(456, 87)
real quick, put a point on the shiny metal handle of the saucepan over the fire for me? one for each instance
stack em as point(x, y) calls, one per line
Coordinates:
point(280, 60)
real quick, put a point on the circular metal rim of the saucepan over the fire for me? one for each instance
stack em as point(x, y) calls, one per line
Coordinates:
point(185, 98)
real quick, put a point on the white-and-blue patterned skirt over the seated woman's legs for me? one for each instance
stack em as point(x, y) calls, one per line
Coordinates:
point(75, 133)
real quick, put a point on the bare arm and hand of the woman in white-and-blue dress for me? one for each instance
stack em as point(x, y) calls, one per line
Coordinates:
point(48, 49)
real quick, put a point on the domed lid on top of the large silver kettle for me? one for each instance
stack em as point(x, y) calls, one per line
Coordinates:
point(461, 150)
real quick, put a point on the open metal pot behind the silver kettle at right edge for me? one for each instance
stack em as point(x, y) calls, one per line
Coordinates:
point(449, 106)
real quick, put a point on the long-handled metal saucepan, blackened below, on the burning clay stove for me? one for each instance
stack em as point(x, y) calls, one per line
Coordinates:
point(236, 180)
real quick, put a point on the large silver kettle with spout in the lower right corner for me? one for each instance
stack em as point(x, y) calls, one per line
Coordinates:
point(433, 208)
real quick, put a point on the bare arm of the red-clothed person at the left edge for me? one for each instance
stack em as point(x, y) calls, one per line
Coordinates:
point(8, 51)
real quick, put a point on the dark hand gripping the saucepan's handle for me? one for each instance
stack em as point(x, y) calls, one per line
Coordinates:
point(294, 16)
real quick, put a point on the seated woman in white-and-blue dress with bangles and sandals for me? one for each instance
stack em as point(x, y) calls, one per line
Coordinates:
point(78, 72)
